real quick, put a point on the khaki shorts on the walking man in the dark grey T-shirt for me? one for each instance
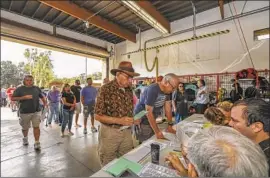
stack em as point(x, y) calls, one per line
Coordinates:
point(26, 119)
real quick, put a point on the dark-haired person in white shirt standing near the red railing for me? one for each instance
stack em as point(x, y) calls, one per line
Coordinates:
point(202, 97)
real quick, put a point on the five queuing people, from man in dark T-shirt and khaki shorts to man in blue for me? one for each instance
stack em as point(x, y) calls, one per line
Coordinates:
point(34, 102)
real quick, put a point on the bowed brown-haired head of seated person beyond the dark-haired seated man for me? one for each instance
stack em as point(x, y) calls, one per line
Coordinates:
point(216, 117)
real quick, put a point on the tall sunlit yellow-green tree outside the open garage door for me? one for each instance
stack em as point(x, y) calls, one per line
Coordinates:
point(40, 66)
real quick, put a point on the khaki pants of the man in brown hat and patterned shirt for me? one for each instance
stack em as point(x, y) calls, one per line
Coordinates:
point(113, 143)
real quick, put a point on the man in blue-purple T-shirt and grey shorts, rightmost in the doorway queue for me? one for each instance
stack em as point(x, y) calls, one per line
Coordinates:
point(88, 98)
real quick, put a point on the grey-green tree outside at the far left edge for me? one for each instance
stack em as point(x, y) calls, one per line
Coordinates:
point(12, 74)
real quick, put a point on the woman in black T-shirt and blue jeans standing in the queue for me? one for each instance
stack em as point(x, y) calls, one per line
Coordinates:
point(69, 104)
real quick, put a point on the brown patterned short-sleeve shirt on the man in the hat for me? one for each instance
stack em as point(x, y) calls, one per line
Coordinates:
point(114, 101)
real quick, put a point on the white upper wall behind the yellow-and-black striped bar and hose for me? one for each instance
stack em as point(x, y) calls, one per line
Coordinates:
point(216, 52)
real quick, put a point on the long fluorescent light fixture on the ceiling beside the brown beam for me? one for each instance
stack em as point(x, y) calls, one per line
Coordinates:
point(145, 16)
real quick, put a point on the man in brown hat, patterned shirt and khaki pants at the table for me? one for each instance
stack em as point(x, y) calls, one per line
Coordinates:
point(114, 109)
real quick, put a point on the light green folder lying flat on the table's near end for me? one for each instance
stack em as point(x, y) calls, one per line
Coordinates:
point(123, 164)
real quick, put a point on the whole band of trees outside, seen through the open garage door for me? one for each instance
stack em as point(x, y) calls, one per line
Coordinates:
point(39, 65)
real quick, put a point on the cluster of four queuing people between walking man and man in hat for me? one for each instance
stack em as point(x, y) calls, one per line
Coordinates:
point(69, 102)
